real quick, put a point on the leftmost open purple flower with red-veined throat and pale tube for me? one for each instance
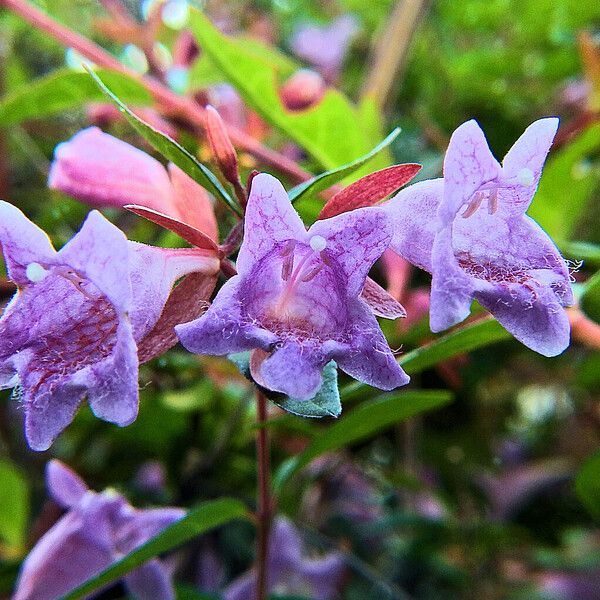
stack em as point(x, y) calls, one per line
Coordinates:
point(71, 329)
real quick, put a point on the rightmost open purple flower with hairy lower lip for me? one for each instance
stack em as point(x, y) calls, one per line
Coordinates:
point(470, 231)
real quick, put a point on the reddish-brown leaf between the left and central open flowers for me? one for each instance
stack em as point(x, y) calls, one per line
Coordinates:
point(188, 300)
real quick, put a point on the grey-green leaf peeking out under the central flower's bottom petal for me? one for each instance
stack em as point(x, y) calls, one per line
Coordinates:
point(326, 402)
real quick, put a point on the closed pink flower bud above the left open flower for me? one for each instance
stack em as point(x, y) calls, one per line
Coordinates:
point(101, 170)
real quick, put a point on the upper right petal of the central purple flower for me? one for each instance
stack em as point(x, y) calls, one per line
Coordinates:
point(355, 240)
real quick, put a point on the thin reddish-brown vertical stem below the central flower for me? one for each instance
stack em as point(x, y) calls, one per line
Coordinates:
point(264, 504)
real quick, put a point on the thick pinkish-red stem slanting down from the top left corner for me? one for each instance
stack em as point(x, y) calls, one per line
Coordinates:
point(181, 105)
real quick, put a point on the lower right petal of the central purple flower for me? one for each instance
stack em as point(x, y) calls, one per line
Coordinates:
point(370, 359)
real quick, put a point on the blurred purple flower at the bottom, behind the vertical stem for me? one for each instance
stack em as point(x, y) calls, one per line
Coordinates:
point(289, 572)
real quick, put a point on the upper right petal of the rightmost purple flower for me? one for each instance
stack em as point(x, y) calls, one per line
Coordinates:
point(529, 152)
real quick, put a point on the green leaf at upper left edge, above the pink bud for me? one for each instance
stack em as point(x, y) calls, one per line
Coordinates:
point(66, 90)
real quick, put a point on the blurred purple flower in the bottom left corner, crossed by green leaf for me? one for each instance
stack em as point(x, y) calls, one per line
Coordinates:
point(96, 530)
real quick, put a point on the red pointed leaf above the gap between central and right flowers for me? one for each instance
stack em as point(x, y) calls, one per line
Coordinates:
point(369, 189)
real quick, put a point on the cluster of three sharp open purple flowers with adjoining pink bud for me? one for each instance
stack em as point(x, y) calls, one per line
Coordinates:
point(298, 300)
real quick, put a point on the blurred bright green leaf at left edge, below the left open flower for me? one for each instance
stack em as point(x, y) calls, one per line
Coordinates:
point(14, 505)
